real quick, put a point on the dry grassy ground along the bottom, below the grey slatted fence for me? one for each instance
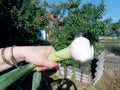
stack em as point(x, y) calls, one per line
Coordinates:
point(109, 81)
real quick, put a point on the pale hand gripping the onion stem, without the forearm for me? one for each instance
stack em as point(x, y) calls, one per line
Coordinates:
point(38, 55)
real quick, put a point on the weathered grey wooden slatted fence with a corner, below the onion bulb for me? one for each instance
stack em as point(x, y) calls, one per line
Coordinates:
point(83, 77)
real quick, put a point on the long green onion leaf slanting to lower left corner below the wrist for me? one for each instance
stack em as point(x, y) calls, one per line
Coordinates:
point(11, 76)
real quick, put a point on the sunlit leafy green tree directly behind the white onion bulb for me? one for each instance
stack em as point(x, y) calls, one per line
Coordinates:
point(77, 19)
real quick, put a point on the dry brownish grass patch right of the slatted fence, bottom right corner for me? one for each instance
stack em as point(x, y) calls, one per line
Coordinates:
point(109, 81)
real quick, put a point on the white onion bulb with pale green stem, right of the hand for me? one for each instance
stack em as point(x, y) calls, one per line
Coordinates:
point(80, 50)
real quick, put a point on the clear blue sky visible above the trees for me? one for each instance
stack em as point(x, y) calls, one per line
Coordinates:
point(112, 7)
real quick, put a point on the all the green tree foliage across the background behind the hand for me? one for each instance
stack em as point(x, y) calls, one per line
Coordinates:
point(19, 20)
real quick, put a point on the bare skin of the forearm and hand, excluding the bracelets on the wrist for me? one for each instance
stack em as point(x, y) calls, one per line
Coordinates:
point(37, 55)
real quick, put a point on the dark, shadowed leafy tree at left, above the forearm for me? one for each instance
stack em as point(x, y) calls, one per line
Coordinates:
point(18, 21)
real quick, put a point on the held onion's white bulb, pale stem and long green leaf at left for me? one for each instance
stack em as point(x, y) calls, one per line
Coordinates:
point(80, 50)
